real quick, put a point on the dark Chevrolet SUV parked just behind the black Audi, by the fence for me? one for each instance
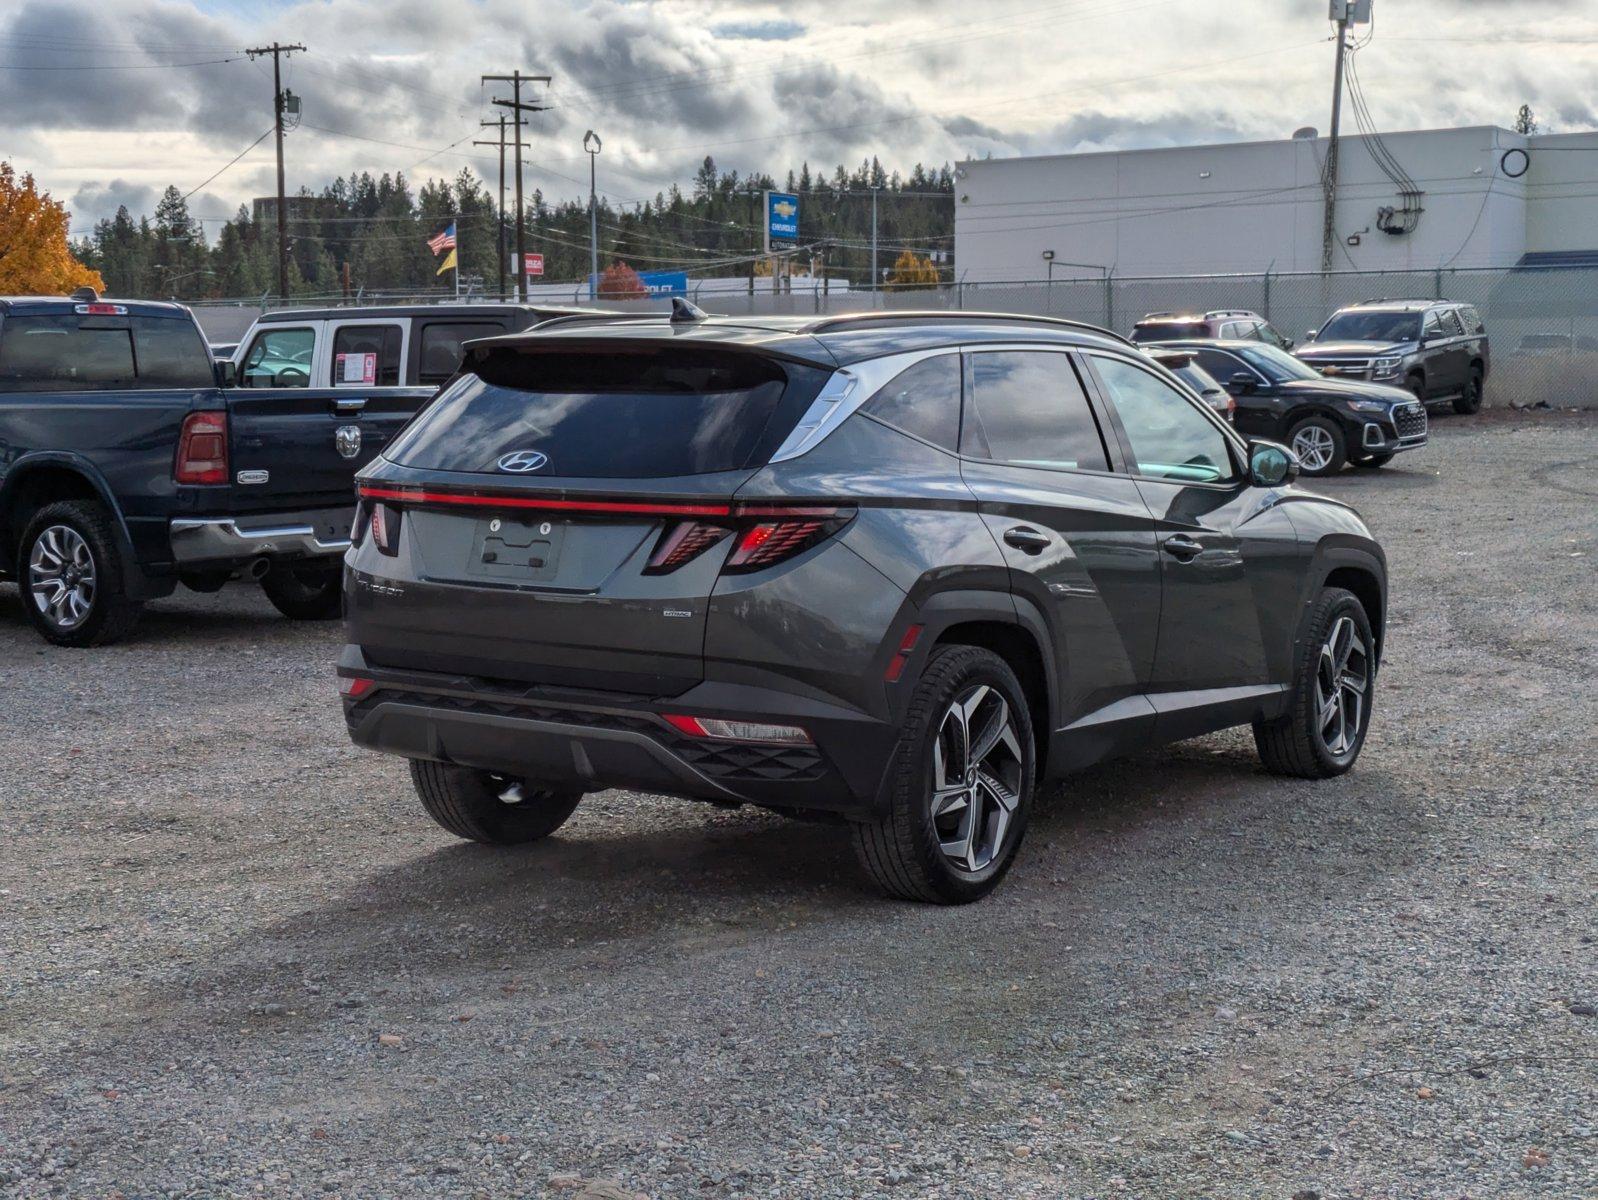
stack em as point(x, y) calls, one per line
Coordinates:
point(1437, 351)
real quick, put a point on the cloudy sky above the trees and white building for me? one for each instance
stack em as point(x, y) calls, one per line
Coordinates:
point(108, 103)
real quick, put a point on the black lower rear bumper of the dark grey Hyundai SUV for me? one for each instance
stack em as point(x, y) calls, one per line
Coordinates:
point(579, 741)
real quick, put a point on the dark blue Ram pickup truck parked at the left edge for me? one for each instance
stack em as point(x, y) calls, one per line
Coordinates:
point(129, 467)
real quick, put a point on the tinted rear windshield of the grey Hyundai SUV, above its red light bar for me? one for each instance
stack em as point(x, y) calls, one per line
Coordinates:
point(610, 416)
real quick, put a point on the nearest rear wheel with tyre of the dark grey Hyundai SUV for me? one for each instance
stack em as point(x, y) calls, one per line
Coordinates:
point(960, 785)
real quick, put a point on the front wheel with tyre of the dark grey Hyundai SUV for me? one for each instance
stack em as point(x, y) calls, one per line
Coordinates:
point(1330, 710)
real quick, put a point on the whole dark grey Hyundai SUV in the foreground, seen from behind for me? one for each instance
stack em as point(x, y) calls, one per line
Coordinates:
point(888, 568)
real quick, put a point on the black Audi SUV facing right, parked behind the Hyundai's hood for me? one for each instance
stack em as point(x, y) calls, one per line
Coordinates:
point(1329, 423)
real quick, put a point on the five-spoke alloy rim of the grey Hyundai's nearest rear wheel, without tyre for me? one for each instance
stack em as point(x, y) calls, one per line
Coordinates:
point(977, 773)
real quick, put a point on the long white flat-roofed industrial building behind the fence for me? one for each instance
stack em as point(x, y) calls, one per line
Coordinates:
point(1487, 197)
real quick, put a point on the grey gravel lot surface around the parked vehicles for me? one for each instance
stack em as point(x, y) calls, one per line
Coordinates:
point(236, 960)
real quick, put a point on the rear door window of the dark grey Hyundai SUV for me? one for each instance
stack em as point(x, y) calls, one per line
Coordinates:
point(1028, 408)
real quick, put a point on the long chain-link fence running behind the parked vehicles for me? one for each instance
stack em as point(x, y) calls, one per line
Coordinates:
point(1543, 322)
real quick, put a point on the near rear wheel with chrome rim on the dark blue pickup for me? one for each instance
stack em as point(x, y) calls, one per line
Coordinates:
point(71, 576)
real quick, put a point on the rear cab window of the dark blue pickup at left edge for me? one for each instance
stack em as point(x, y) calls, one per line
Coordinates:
point(65, 352)
